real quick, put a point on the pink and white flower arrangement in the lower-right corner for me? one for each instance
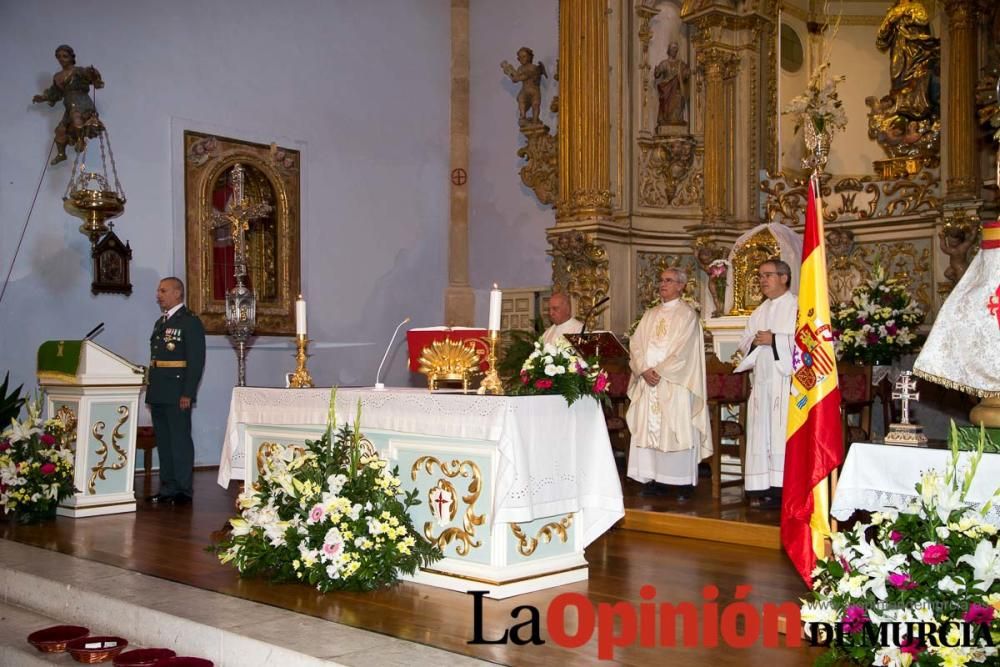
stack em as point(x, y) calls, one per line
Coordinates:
point(934, 561)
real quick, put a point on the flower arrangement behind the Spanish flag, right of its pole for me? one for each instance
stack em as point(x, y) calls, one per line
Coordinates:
point(879, 324)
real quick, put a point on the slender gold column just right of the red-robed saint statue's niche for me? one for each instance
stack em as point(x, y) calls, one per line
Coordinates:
point(718, 65)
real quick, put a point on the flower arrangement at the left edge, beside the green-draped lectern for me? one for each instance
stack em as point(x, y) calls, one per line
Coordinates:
point(36, 467)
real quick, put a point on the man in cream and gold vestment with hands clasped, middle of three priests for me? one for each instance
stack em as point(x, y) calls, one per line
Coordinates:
point(668, 414)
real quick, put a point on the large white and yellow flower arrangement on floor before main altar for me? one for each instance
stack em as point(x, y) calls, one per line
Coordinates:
point(329, 513)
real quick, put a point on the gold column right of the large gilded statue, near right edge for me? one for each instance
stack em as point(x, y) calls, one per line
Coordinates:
point(963, 176)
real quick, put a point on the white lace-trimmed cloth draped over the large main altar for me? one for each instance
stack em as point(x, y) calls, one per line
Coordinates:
point(553, 459)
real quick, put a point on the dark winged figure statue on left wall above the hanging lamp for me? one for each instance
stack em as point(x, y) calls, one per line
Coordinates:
point(72, 85)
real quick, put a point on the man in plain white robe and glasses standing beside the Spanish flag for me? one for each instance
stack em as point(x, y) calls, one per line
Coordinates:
point(767, 344)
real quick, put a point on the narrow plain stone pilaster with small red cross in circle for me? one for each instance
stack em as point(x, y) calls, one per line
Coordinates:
point(459, 300)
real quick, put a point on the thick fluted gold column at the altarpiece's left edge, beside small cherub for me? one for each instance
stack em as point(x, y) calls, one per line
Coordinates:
point(584, 113)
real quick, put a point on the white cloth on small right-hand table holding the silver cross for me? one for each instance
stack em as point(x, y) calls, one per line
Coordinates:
point(877, 477)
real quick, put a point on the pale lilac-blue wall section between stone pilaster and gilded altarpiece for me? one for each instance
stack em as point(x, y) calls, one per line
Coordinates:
point(504, 213)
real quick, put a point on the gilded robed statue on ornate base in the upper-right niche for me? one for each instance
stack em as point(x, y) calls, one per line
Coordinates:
point(906, 121)
